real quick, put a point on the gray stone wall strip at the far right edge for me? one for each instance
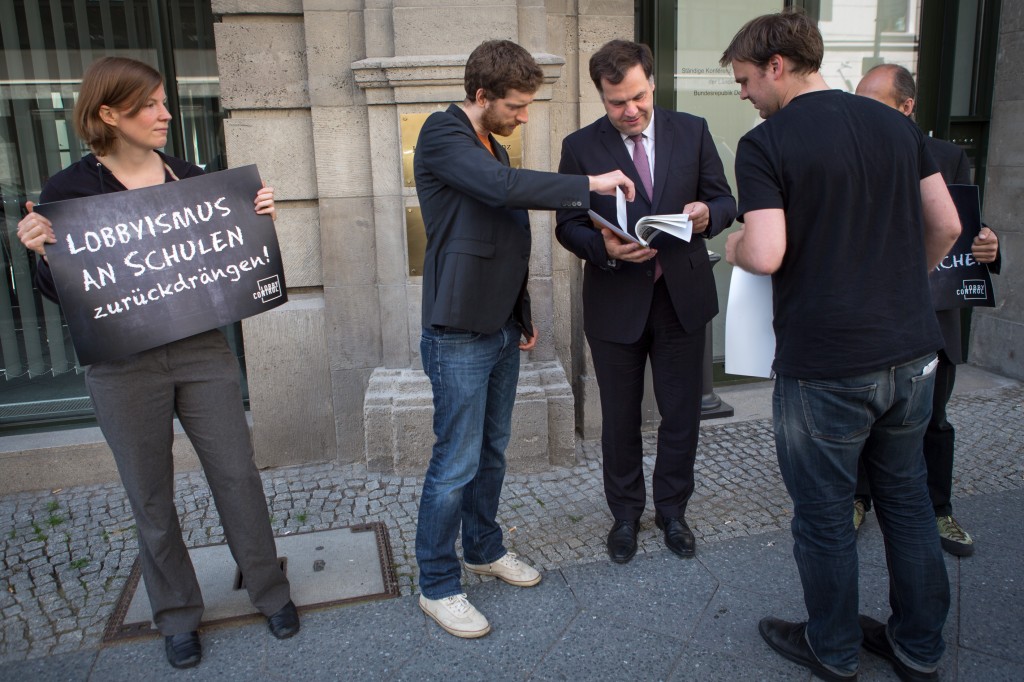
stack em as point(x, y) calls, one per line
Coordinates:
point(998, 334)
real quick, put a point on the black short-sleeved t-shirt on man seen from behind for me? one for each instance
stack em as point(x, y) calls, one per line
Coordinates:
point(852, 294)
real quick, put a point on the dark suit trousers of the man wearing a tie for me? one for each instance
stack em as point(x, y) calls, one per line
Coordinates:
point(676, 360)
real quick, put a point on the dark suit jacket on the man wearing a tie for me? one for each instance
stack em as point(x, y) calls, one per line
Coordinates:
point(617, 300)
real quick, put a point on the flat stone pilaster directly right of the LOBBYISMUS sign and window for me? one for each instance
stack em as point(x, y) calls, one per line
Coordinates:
point(262, 57)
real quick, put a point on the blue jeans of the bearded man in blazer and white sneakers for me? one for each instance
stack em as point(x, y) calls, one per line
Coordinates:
point(475, 379)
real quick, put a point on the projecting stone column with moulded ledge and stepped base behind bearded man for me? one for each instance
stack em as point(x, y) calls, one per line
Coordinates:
point(398, 408)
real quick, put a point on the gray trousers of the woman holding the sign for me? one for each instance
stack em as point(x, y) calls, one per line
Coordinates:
point(136, 400)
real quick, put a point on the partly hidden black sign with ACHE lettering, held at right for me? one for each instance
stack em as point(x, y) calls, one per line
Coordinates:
point(960, 281)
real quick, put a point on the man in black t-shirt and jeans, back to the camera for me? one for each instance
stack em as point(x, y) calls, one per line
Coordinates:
point(845, 208)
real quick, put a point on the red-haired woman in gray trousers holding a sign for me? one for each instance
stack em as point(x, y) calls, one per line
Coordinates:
point(121, 115)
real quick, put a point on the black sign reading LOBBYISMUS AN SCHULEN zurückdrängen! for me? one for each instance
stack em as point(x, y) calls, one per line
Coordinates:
point(140, 269)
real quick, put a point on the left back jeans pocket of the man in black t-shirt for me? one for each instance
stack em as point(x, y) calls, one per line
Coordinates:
point(834, 412)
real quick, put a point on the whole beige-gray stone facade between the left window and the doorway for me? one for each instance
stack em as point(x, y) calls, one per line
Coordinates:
point(315, 91)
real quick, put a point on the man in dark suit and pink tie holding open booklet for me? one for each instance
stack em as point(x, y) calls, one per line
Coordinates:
point(647, 303)
